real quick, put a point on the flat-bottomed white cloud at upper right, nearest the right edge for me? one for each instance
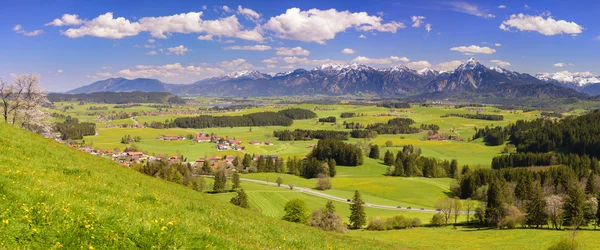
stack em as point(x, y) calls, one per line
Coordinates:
point(543, 25)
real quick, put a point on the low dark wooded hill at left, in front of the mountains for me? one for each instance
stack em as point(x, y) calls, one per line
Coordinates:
point(118, 97)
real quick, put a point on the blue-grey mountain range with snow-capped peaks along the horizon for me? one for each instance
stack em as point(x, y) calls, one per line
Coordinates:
point(358, 79)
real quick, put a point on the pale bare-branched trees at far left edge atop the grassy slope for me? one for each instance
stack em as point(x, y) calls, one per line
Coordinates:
point(21, 103)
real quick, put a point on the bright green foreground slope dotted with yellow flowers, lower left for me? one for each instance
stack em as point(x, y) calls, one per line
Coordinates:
point(53, 196)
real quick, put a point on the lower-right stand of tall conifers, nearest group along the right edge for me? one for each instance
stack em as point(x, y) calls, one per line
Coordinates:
point(516, 196)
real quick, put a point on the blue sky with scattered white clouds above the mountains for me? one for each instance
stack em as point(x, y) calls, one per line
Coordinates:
point(74, 43)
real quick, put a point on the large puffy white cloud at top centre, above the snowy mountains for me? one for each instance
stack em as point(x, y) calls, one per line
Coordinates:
point(316, 25)
